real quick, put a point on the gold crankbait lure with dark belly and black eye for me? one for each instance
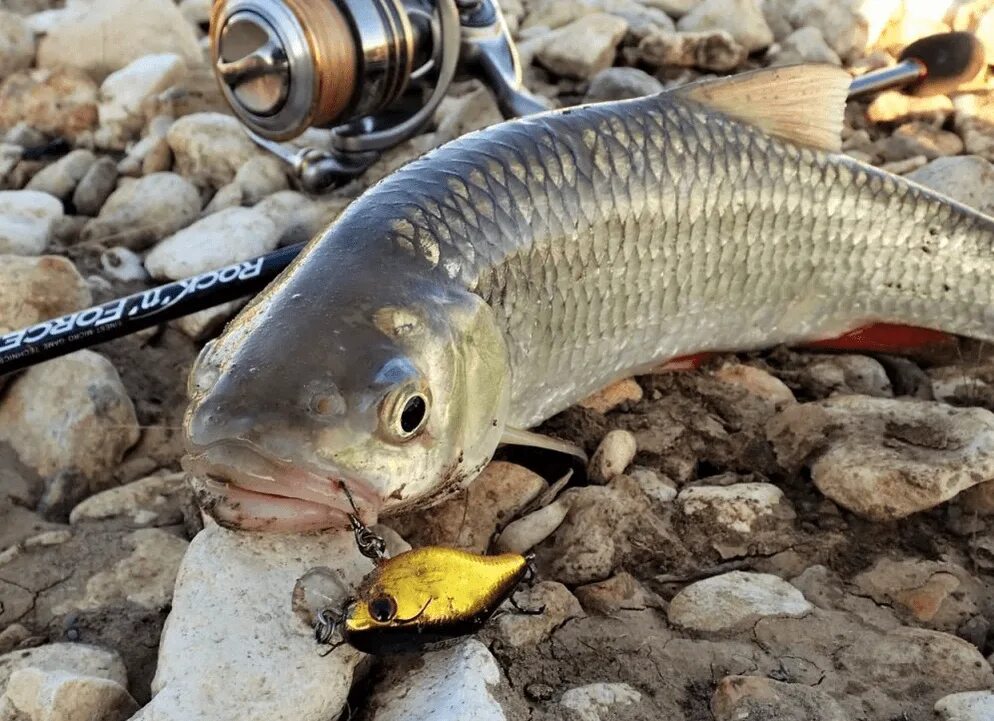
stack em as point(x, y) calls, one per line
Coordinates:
point(420, 598)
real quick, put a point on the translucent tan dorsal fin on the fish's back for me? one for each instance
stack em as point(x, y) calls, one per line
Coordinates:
point(802, 104)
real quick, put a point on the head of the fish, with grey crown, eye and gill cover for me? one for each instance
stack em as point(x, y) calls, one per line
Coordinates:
point(396, 393)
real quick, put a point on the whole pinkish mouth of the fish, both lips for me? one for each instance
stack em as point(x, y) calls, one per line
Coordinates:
point(242, 488)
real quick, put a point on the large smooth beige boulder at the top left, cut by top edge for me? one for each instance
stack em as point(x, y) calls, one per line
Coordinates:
point(101, 36)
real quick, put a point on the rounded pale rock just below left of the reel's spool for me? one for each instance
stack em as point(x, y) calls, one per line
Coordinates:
point(209, 148)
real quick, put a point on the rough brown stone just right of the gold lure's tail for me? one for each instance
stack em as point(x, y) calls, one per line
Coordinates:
point(556, 604)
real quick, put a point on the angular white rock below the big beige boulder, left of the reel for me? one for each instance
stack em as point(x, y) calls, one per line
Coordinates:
point(123, 92)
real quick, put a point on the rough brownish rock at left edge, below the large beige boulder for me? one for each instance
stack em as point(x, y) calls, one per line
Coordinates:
point(59, 103)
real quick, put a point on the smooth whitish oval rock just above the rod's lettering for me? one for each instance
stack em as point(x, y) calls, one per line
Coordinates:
point(227, 237)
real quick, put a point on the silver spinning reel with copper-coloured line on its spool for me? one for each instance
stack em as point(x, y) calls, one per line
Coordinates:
point(374, 71)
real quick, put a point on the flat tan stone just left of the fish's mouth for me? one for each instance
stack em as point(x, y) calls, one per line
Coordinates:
point(153, 501)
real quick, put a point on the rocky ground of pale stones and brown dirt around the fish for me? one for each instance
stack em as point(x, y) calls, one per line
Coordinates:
point(785, 535)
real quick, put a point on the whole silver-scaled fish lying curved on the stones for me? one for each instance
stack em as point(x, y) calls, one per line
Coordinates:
point(508, 274)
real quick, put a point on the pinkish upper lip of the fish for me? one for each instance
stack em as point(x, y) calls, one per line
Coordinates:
point(260, 473)
